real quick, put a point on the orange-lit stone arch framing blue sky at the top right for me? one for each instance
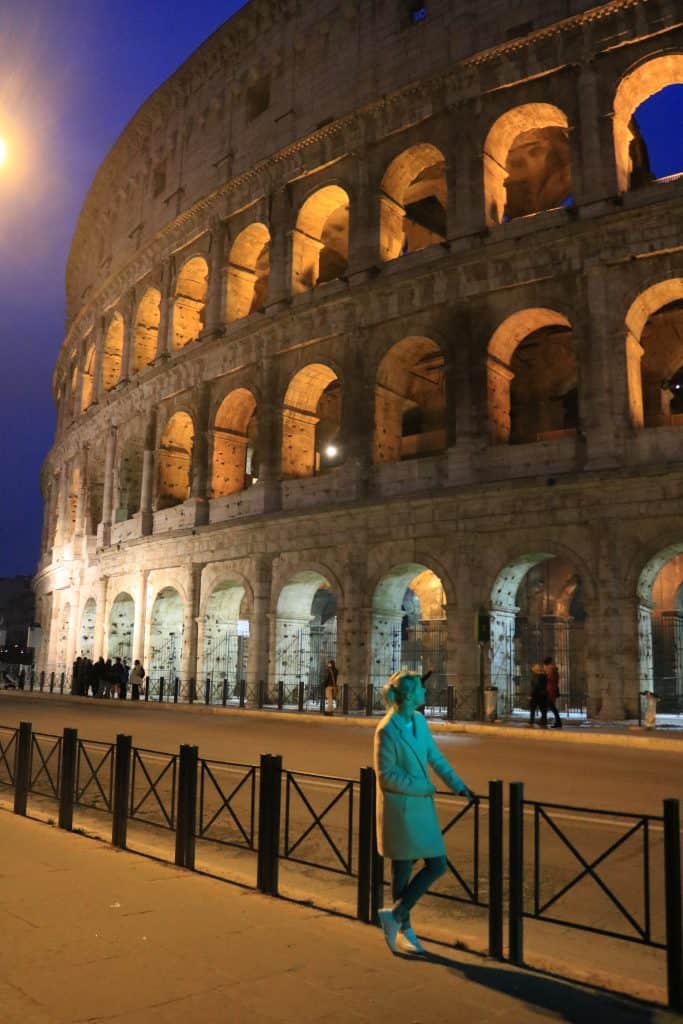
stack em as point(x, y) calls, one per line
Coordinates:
point(635, 88)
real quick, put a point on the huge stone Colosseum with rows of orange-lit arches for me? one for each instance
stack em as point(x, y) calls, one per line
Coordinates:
point(375, 354)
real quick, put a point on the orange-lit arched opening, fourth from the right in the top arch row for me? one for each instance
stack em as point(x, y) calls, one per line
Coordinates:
point(320, 241)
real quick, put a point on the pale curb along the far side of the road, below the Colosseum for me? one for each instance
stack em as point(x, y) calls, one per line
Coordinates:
point(632, 738)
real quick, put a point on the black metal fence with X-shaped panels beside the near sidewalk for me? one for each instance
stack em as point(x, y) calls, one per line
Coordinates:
point(328, 824)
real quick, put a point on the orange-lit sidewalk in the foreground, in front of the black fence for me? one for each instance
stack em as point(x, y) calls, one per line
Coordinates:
point(92, 934)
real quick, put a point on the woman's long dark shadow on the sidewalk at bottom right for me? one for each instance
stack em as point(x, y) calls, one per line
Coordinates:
point(559, 1000)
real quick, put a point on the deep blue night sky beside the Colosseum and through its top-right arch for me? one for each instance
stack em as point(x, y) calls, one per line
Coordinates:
point(72, 75)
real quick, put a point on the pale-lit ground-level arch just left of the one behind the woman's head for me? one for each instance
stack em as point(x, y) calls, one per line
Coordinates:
point(306, 636)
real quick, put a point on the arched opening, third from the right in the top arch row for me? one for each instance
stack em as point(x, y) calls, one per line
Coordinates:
point(413, 202)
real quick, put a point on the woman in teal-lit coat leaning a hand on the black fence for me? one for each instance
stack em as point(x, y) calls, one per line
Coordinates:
point(408, 828)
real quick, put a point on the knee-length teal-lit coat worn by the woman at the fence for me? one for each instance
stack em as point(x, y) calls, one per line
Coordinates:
point(408, 828)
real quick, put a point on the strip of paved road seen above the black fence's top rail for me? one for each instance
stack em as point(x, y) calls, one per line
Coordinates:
point(601, 777)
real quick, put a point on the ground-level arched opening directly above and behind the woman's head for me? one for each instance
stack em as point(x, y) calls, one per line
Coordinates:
point(410, 631)
